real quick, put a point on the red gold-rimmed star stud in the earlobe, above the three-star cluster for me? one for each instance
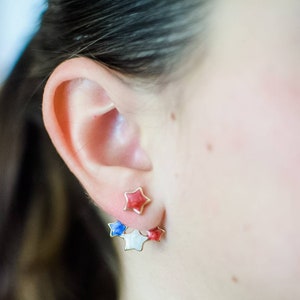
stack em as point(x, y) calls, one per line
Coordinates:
point(136, 200)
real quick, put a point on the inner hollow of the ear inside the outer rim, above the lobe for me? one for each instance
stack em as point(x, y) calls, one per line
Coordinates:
point(98, 134)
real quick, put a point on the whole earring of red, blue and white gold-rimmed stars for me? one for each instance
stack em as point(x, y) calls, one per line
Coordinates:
point(135, 201)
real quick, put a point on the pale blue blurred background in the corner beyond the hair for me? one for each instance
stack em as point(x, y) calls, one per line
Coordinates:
point(19, 20)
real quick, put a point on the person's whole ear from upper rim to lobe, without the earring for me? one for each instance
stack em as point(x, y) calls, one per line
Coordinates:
point(91, 117)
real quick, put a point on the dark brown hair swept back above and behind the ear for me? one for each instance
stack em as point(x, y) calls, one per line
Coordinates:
point(53, 244)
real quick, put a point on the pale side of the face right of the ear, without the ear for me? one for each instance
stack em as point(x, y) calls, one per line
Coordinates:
point(231, 159)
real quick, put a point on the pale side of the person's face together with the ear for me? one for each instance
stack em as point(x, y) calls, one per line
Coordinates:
point(218, 151)
